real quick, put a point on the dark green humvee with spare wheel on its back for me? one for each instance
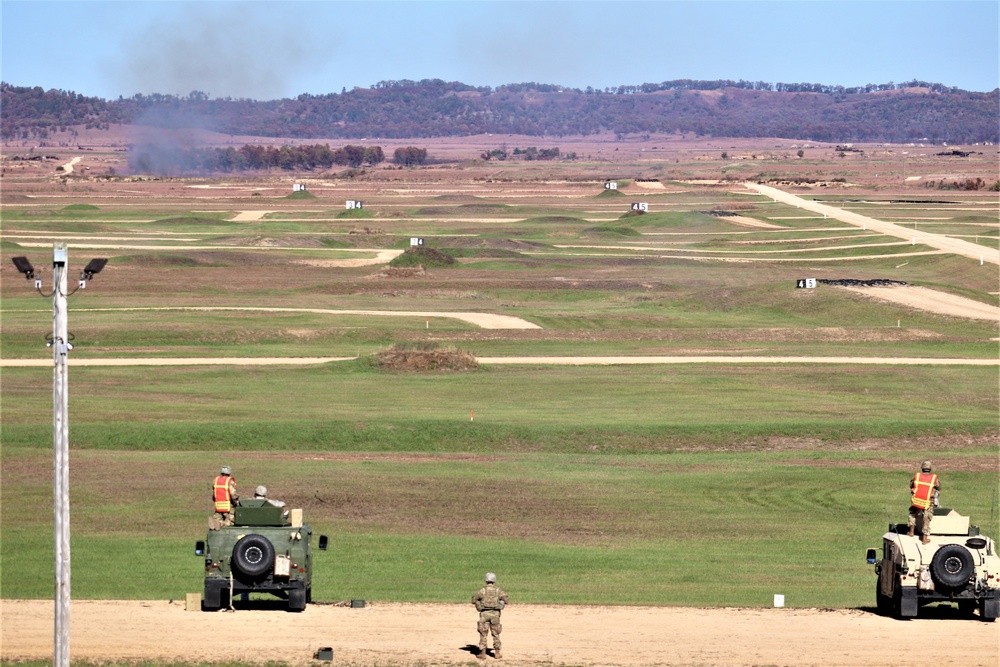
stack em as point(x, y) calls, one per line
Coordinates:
point(266, 550)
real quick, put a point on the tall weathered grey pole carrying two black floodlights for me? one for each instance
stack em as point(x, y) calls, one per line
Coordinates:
point(60, 428)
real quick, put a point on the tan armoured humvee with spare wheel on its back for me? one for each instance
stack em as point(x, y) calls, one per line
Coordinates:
point(958, 565)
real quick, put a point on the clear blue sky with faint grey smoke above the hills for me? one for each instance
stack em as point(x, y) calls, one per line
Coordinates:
point(268, 50)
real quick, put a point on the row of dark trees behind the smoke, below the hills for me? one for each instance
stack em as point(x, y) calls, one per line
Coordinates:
point(171, 160)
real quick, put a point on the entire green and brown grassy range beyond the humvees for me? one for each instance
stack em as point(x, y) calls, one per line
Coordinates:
point(663, 485)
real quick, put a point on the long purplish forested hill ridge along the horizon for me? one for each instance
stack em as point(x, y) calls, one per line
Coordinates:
point(899, 113)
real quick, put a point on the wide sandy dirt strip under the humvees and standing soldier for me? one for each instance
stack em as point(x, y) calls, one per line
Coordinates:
point(442, 634)
